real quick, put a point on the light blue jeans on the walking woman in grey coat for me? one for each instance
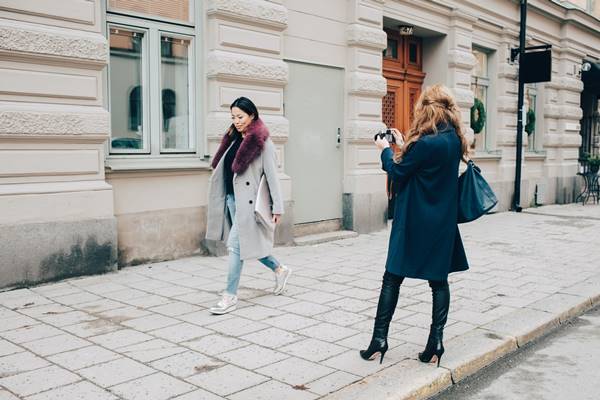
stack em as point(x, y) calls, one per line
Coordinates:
point(233, 244)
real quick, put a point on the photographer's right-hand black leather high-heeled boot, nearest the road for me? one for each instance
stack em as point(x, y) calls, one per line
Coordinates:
point(441, 303)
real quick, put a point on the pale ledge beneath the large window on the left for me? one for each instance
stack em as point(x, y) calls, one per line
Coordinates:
point(129, 163)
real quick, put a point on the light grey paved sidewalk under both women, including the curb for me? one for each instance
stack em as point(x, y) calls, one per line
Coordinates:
point(145, 332)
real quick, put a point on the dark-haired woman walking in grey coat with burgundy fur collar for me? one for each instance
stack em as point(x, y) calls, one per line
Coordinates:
point(246, 154)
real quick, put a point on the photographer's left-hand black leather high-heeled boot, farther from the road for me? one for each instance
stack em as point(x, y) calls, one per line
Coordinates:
point(388, 299)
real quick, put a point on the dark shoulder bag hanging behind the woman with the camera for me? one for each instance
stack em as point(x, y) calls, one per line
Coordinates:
point(475, 196)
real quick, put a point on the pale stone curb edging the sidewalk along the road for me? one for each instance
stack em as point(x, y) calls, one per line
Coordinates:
point(469, 353)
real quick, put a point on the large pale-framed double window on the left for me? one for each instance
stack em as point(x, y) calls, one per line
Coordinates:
point(152, 77)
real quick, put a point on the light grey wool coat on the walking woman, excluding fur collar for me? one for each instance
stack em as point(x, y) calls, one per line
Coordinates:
point(255, 241)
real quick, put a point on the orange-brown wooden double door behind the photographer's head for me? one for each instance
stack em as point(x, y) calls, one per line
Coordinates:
point(403, 70)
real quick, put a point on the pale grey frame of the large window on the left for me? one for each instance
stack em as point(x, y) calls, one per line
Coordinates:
point(194, 157)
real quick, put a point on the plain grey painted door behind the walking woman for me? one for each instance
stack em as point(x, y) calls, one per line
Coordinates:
point(314, 106)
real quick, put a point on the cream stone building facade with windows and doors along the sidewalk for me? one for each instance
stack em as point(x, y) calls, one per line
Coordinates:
point(110, 111)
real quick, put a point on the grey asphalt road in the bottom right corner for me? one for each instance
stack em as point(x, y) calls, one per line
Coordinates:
point(565, 365)
